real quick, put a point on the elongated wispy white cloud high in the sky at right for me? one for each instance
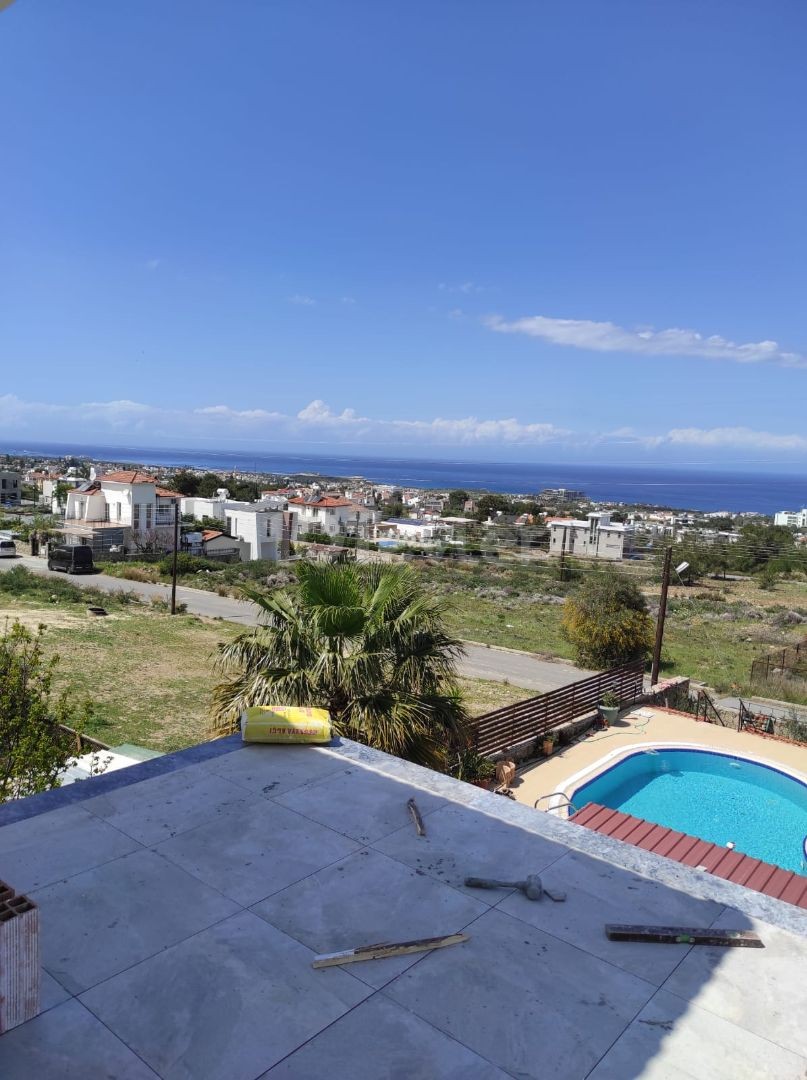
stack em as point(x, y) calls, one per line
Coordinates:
point(609, 337)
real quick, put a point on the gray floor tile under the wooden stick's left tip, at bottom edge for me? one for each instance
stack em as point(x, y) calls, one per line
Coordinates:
point(226, 1005)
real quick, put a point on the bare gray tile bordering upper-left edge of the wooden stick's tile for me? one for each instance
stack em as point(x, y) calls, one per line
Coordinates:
point(259, 852)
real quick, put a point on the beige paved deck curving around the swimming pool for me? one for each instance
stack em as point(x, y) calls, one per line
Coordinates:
point(642, 727)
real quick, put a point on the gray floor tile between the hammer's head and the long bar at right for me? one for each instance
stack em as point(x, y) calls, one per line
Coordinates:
point(599, 893)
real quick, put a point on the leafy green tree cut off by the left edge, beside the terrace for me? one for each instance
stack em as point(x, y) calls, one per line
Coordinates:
point(34, 749)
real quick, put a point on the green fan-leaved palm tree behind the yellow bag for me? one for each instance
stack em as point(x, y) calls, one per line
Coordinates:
point(362, 641)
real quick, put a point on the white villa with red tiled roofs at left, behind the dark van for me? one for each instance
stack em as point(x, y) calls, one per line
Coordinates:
point(128, 510)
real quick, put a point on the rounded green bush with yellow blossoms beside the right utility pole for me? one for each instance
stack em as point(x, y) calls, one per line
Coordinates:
point(607, 620)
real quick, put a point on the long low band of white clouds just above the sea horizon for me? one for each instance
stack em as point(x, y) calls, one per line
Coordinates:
point(318, 423)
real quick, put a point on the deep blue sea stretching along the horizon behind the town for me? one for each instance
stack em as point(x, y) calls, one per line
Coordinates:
point(683, 488)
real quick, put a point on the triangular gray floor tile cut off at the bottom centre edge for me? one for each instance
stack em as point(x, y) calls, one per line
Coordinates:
point(403, 1048)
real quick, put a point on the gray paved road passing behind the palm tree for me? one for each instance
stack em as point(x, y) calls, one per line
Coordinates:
point(500, 666)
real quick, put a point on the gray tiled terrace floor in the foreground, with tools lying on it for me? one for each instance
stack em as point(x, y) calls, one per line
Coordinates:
point(184, 900)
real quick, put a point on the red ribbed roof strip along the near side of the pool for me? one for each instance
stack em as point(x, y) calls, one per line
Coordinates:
point(723, 862)
